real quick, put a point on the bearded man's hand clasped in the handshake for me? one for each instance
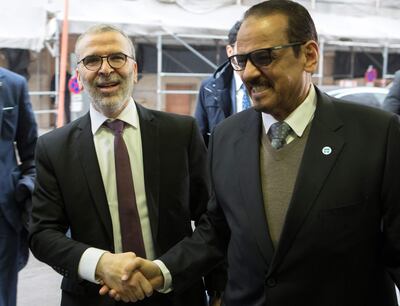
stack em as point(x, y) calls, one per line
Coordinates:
point(110, 270)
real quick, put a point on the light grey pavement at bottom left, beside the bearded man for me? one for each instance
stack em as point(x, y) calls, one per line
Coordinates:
point(38, 284)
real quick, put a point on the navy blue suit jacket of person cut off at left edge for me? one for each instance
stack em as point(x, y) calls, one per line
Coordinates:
point(17, 124)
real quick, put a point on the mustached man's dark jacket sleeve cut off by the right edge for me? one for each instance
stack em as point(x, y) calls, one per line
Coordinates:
point(391, 200)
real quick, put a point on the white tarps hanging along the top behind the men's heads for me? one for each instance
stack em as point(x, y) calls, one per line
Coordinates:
point(23, 22)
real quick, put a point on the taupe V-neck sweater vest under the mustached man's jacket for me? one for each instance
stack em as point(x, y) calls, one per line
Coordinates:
point(279, 170)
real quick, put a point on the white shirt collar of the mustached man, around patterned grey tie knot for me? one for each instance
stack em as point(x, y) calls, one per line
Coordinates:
point(300, 117)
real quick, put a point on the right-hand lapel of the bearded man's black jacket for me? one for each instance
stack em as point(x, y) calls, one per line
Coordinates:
point(151, 164)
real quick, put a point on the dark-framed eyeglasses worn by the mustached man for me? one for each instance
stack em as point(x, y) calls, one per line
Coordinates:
point(259, 58)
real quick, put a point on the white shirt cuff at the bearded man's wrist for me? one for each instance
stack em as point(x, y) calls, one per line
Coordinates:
point(88, 263)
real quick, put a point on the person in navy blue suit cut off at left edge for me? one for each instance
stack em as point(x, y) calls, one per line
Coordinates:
point(17, 126)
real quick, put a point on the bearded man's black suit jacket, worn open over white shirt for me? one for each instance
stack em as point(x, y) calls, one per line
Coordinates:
point(69, 192)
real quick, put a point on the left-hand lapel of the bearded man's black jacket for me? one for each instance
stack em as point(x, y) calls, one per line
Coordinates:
point(92, 172)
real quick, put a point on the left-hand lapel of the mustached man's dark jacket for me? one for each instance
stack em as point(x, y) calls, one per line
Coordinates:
point(247, 154)
